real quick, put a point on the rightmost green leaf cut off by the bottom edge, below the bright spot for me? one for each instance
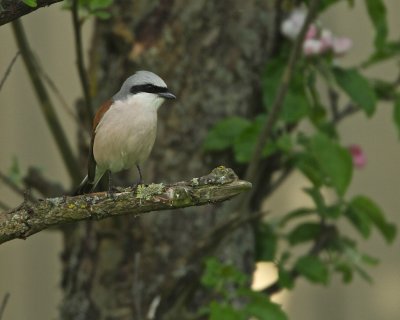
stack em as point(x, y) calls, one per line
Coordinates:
point(263, 309)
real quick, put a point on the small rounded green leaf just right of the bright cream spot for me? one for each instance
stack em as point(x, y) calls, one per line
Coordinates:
point(313, 269)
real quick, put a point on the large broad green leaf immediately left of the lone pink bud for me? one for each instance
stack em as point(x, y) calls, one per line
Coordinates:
point(333, 160)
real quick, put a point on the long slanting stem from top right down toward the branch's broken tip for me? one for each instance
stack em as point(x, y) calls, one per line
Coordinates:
point(251, 172)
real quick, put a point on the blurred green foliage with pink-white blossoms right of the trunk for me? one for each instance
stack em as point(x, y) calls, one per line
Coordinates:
point(317, 152)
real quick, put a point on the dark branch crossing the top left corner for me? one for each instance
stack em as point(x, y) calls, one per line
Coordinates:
point(14, 9)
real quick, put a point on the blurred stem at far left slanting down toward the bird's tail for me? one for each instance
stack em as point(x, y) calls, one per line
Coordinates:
point(48, 109)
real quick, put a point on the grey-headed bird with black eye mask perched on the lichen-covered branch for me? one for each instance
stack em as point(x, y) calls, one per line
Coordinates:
point(124, 128)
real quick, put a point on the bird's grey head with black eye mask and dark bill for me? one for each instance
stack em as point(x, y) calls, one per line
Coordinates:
point(143, 82)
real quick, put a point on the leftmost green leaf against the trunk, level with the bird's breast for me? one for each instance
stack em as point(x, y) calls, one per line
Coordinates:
point(223, 134)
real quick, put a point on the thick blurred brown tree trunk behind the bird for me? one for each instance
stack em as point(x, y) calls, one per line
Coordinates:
point(211, 55)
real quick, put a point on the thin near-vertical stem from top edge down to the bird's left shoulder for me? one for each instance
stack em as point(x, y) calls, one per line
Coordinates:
point(80, 61)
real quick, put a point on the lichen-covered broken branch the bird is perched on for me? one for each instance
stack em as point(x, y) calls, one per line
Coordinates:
point(30, 218)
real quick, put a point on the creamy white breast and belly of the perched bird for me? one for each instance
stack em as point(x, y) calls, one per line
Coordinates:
point(126, 133)
